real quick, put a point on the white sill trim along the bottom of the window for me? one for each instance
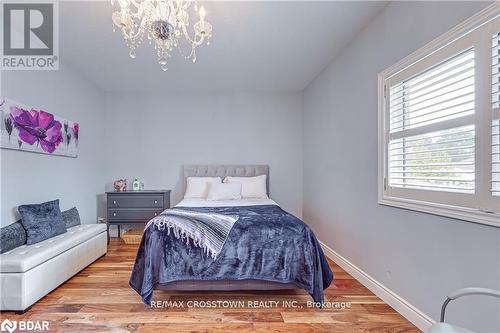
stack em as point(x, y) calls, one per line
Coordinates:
point(470, 215)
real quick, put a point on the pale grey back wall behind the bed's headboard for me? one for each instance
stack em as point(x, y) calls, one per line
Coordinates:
point(151, 137)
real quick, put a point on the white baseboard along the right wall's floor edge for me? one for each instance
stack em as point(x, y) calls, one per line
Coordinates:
point(414, 315)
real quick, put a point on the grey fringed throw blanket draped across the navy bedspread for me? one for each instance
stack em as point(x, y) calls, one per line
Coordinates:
point(207, 231)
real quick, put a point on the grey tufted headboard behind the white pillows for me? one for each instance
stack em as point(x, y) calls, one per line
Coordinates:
point(225, 170)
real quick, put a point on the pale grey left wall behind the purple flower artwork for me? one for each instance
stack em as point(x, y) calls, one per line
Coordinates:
point(33, 178)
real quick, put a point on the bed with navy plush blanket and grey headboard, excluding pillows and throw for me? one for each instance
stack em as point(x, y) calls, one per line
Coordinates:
point(266, 249)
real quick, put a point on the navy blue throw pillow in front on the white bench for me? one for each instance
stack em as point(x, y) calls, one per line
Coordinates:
point(41, 221)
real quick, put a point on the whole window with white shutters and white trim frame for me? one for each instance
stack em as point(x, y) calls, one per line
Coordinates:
point(439, 125)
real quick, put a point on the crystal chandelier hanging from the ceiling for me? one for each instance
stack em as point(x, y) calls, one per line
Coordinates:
point(164, 22)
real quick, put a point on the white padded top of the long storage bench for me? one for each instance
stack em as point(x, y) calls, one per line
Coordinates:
point(25, 257)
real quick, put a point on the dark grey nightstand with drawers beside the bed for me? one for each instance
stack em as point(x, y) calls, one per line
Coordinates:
point(133, 207)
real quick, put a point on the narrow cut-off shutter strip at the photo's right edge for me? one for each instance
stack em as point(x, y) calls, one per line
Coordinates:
point(495, 130)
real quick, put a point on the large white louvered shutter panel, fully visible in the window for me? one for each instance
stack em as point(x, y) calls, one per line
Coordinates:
point(428, 150)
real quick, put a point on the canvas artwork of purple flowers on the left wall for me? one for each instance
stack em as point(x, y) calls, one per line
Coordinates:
point(36, 130)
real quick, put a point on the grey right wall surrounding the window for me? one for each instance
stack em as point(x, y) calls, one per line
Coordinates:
point(419, 256)
